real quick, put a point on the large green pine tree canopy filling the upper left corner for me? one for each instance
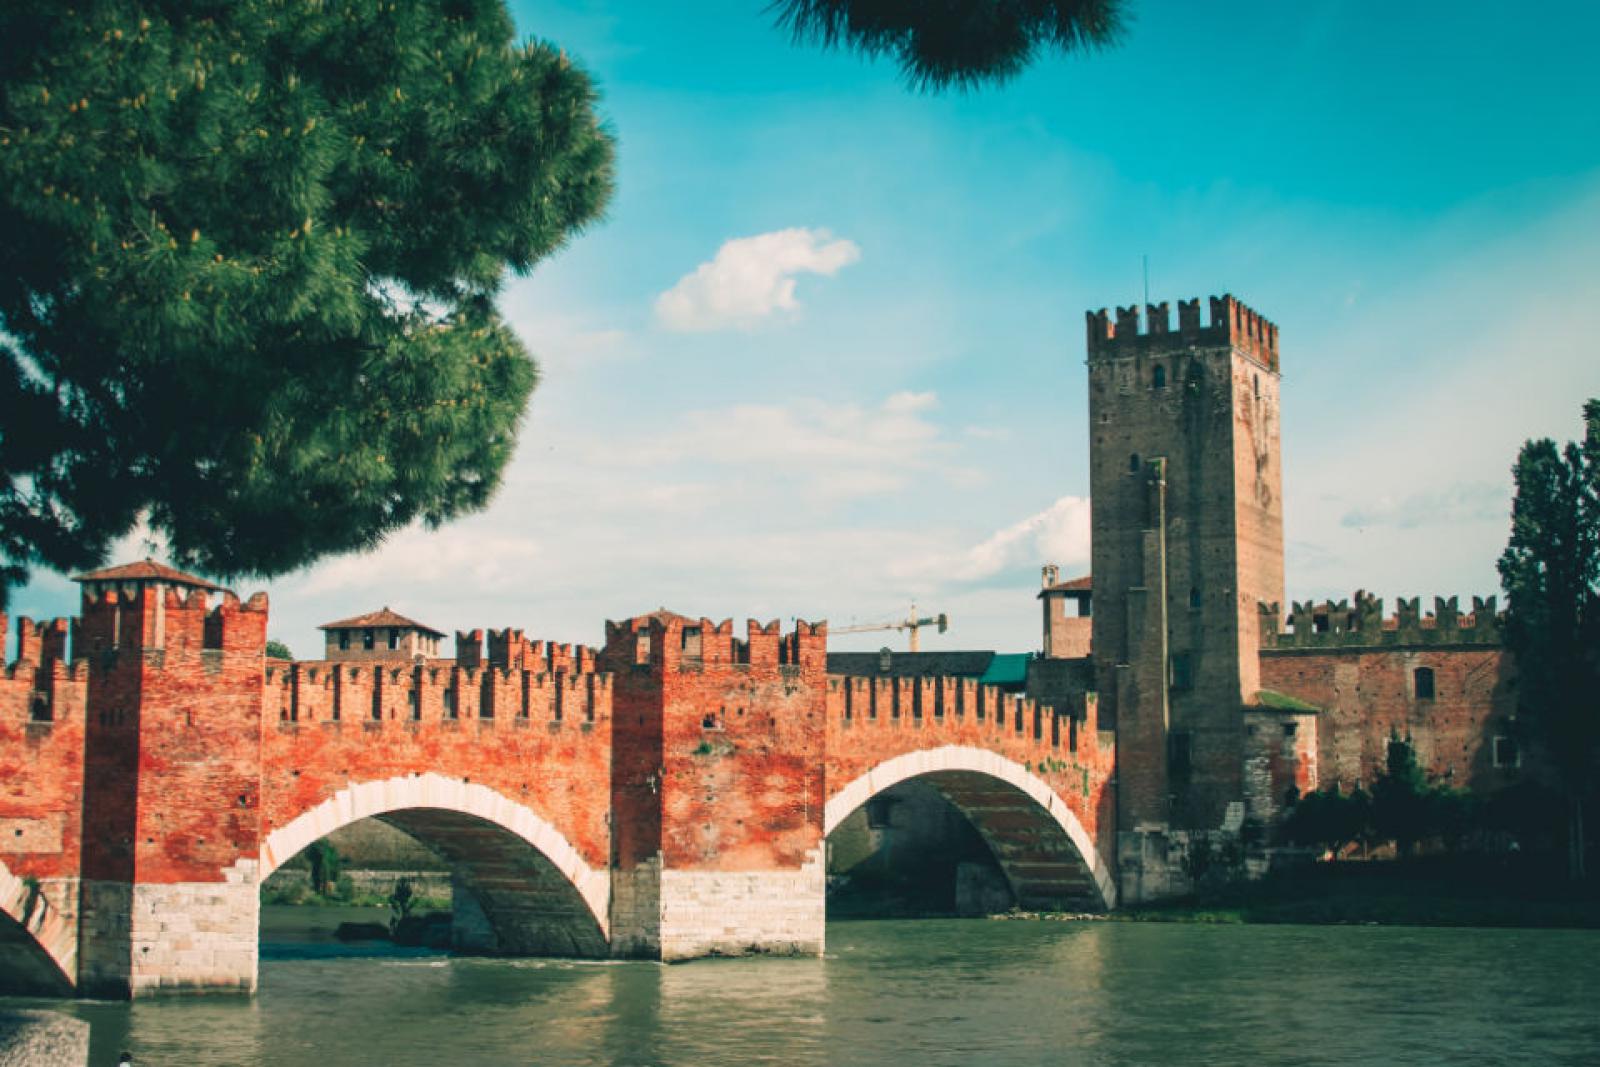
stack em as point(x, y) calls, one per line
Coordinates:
point(247, 268)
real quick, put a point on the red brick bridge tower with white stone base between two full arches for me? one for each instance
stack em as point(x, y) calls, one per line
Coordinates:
point(718, 793)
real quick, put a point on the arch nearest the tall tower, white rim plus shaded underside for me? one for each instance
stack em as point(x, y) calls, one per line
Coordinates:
point(1039, 842)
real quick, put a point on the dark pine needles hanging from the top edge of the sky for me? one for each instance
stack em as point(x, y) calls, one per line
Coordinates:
point(966, 44)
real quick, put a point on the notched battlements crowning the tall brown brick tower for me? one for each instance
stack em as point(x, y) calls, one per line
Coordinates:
point(1231, 324)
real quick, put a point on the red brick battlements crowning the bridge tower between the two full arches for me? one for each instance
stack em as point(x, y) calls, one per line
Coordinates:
point(668, 641)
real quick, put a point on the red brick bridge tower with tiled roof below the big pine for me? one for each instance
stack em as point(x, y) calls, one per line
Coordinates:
point(172, 783)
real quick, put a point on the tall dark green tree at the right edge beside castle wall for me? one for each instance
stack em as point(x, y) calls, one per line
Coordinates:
point(1551, 572)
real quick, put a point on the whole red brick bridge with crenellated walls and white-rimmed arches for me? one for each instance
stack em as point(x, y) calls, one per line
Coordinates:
point(668, 796)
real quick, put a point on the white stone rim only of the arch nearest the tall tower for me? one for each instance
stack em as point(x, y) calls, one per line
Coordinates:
point(969, 761)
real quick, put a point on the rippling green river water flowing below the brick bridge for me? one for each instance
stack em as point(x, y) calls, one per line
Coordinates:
point(930, 993)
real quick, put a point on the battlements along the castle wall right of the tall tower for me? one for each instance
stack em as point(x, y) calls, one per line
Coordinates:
point(1346, 625)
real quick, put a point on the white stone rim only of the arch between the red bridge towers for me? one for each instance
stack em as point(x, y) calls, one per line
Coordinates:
point(431, 791)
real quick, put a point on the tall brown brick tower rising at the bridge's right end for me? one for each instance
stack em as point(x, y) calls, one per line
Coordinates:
point(1188, 537)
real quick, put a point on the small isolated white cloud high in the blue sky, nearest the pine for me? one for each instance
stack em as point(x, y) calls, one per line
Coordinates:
point(750, 279)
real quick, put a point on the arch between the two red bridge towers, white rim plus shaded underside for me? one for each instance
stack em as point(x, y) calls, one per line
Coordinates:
point(532, 893)
